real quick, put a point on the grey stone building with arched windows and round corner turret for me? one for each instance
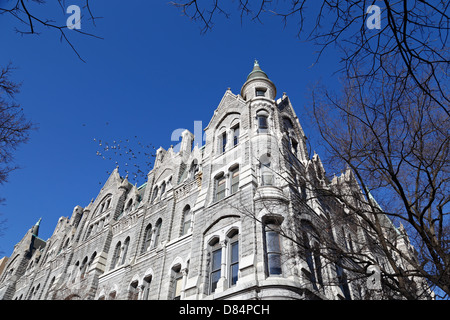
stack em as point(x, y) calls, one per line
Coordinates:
point(209, 223)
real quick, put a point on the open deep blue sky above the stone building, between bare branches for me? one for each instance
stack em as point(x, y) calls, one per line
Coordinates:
point(153, 72)
